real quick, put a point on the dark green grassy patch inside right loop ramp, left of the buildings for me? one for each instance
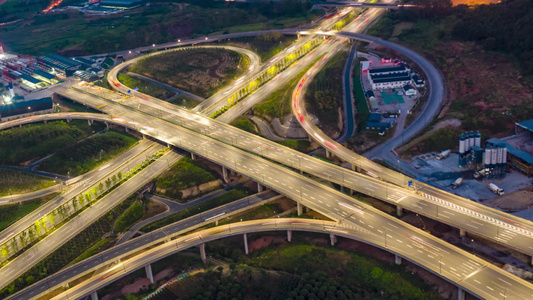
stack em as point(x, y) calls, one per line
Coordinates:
point(324, 94)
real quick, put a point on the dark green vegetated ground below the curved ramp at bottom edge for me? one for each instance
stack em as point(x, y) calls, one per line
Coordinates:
point(301, 271)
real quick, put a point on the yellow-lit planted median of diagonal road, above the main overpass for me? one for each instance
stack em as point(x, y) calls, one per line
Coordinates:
point(265, 76)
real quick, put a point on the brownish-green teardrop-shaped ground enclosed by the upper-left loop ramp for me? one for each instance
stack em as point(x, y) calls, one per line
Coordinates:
point(201, 71)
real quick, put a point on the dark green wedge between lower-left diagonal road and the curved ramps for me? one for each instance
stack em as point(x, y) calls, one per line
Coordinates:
point(71, 250)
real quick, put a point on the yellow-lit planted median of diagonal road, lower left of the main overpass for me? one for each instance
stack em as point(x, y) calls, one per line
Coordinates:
point(66, 211)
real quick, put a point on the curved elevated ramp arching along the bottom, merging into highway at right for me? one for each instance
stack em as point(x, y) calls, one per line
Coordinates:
point(481, 280)
